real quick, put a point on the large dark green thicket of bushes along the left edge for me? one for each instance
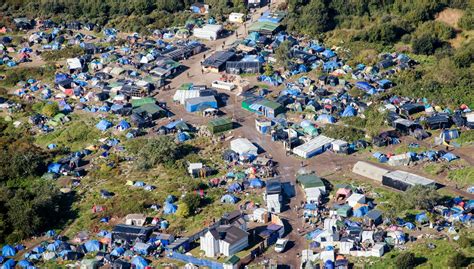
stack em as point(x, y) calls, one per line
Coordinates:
point(28, 204)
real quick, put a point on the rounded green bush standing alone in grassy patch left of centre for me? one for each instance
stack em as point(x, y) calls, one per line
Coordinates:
point(159, 150)
